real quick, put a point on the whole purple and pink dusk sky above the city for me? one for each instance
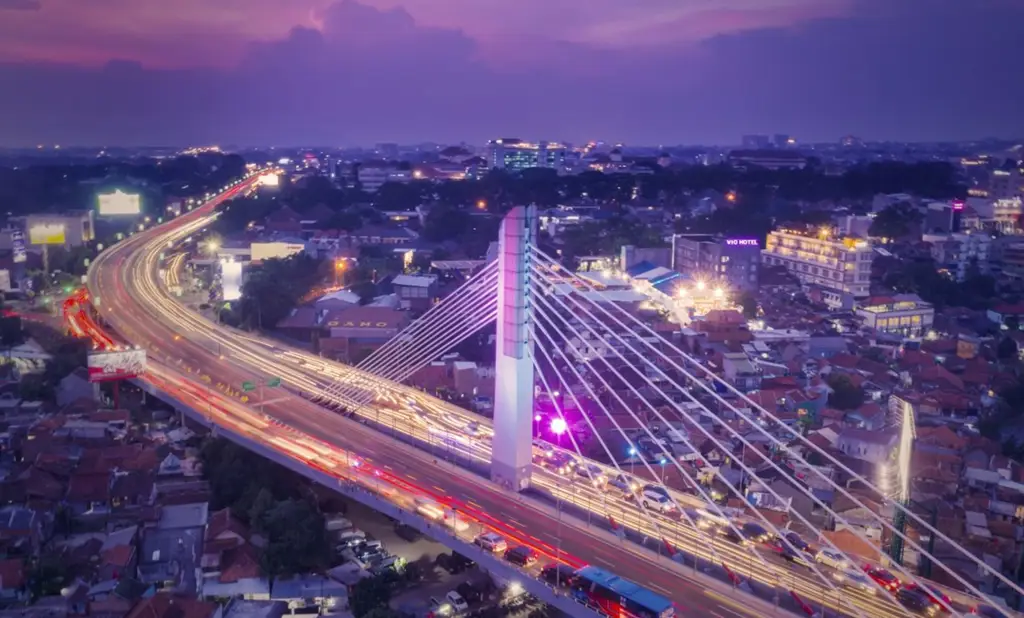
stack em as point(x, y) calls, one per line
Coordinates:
point(360, 72)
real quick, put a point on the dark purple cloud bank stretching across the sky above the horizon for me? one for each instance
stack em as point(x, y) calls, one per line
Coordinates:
point(360, 75)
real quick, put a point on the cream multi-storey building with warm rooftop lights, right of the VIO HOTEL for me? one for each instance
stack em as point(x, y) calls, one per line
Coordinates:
point(837, 264)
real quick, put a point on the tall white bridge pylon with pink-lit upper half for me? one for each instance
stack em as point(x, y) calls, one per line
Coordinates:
point(513, 445)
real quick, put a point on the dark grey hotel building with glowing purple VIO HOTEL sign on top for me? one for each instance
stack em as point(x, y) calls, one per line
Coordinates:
point(734, 262)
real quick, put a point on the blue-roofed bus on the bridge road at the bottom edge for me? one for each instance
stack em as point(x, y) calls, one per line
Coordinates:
point(620, 598)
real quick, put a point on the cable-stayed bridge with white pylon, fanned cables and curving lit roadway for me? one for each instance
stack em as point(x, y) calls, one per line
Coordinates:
point(561, 340)
